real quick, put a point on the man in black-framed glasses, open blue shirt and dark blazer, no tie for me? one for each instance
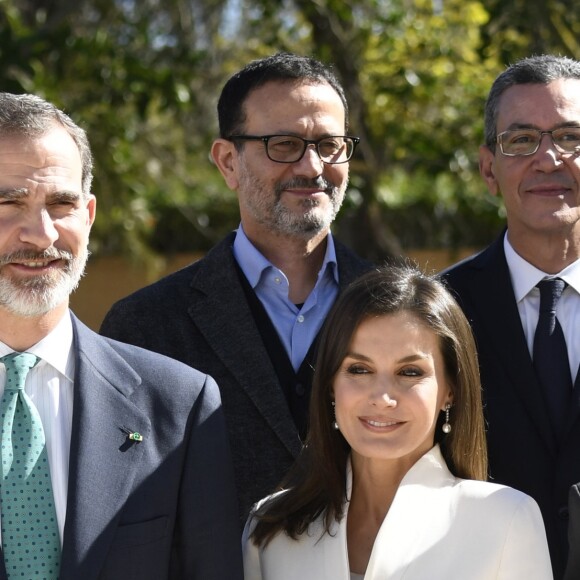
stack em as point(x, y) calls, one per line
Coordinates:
point(248, 313)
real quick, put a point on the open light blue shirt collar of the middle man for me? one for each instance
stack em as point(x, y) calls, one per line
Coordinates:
point(253, 263)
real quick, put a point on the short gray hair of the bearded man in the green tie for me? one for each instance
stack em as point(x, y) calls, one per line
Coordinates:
point(31, 116)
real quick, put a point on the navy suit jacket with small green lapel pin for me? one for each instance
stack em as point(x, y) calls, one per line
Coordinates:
point(163, 508)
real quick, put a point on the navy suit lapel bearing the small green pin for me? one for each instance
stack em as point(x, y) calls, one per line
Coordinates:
point(103, 461)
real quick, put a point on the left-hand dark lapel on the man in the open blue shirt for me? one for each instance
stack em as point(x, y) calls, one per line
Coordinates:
point(221, 313)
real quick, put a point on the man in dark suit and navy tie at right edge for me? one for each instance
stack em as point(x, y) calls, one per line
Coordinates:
point(532, 159)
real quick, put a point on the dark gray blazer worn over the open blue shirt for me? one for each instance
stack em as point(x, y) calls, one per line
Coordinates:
point(201, 317)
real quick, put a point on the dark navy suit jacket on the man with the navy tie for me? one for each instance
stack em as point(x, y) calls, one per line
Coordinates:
point(523, 450)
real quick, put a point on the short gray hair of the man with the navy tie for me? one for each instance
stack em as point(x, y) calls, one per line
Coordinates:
point(540, 70)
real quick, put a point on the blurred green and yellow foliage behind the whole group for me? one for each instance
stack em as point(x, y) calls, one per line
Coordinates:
point(143, 78)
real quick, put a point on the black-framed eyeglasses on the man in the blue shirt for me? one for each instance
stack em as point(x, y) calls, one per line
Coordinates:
point(290, 149)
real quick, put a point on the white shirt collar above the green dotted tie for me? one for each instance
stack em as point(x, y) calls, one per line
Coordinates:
point(56, 348)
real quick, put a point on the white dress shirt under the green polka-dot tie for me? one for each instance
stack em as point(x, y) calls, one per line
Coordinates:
point(50, 386)
